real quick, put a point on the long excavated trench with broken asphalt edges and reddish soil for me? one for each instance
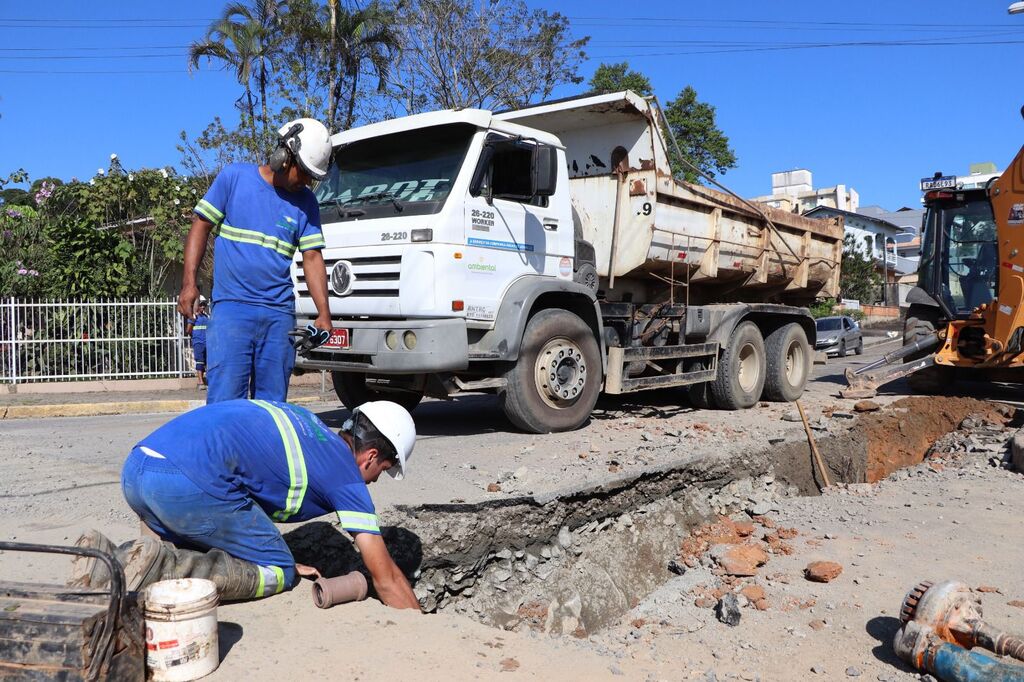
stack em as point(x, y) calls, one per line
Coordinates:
point(576, 561)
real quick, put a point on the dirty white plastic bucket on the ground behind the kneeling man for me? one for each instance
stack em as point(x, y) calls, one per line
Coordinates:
point(182, 630)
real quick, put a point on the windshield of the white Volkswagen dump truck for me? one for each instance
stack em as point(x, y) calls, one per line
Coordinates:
point(406, 174)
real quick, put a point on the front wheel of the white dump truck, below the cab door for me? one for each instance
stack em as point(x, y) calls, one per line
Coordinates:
point(556, 383)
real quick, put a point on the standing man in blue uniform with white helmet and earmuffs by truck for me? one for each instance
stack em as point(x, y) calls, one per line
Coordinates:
point(261, 216)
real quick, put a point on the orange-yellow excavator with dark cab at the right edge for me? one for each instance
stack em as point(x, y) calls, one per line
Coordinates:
point(966, 318)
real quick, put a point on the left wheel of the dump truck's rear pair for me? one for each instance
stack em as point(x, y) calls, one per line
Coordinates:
point(741, 370)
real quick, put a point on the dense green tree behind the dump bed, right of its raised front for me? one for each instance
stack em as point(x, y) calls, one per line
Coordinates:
point(702, 143)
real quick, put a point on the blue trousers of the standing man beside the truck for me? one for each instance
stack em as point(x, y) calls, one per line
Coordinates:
point(249, 354)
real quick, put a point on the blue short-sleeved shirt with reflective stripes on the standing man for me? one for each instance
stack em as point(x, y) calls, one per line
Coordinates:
point(259, 229)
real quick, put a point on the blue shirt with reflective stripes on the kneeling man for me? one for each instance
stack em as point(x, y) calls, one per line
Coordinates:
point(279, 455)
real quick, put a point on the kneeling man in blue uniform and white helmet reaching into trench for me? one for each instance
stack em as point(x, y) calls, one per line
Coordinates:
point(212, 483)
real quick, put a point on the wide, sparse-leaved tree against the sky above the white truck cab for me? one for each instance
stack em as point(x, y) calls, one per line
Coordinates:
point(458, 54)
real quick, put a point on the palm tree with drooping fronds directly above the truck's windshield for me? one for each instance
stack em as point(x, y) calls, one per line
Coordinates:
point(351, 38)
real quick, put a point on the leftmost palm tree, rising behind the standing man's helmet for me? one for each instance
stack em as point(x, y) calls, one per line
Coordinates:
point(246, 39)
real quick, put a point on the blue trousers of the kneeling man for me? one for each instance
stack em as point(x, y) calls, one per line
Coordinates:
point(189, 518)
